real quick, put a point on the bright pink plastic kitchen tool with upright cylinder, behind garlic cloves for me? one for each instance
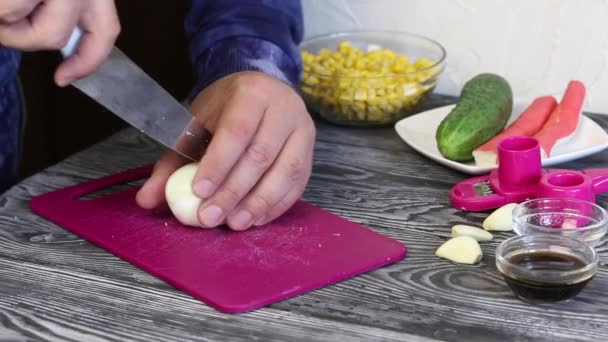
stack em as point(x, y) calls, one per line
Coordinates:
point(520, 177)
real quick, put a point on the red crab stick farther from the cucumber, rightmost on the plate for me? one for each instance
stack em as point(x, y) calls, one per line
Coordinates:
point(563, 121)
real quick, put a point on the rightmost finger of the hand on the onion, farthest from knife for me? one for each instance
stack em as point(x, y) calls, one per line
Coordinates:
point(282, 184)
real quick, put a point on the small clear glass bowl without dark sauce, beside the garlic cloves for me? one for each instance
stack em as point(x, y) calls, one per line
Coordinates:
point(570, 217)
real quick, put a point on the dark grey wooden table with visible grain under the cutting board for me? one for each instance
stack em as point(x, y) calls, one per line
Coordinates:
point(54, 286)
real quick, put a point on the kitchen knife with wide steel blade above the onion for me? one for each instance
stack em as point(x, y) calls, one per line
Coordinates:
point(127, 91)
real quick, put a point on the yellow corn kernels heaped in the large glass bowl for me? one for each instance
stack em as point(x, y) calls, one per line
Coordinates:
point(376, 86)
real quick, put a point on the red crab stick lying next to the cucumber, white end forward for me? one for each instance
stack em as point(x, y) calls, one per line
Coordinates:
point(528, 123)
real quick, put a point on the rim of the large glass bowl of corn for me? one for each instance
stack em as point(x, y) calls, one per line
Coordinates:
point(322, 37)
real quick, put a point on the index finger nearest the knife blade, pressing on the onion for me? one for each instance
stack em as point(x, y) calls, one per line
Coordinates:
point(239, 122)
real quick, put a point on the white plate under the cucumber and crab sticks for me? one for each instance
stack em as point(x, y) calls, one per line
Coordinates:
point(418, 131)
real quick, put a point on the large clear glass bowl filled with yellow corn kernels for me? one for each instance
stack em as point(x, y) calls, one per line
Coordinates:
point(369, 78)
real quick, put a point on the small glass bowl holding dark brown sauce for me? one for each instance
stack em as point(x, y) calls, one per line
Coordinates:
point(546, 269)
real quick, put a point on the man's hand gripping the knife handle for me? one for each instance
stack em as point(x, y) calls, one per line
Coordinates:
point(47, 25)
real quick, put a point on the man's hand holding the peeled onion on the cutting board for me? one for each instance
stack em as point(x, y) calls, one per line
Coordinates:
point(259, 160)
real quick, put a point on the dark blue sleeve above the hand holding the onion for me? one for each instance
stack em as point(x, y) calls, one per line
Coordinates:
point(228, 36)
